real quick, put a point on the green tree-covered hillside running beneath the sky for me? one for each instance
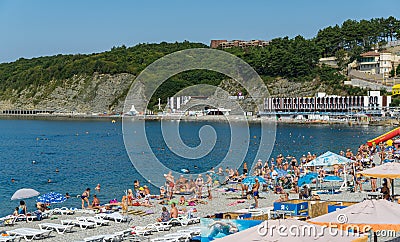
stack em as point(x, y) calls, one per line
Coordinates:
point(294, 59)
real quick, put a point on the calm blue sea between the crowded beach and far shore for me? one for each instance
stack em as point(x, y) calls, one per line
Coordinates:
point(88, 152)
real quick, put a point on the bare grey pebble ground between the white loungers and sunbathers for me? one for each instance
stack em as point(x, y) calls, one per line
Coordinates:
point(221, 202)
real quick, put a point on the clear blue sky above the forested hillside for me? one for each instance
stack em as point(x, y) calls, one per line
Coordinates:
point(31, 28)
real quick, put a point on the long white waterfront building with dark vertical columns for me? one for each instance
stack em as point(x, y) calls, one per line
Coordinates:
point(332, 105)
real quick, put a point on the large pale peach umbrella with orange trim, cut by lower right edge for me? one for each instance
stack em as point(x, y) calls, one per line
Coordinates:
point(373, 214)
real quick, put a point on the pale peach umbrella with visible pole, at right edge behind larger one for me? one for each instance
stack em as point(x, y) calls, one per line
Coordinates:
point(387, 170)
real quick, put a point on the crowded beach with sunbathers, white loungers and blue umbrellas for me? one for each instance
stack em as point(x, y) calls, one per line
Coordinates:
point(176, 208)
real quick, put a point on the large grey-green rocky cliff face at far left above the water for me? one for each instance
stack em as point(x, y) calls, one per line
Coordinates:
point(82, 94)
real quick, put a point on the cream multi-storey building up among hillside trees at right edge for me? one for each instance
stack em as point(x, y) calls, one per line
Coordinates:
point(374, 62)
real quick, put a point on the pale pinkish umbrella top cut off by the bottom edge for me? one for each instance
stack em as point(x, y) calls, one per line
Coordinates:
point(290, 230)
